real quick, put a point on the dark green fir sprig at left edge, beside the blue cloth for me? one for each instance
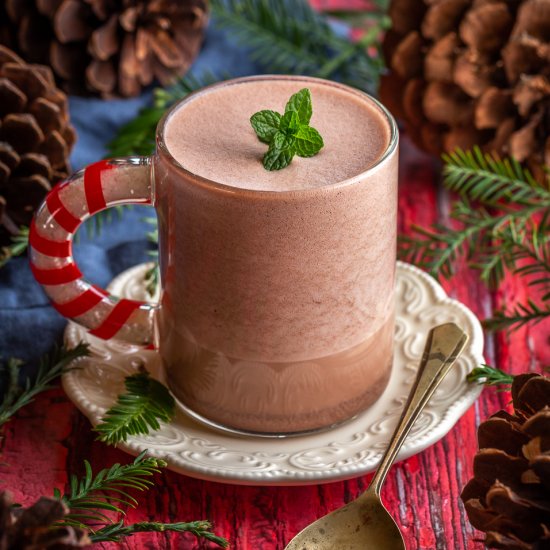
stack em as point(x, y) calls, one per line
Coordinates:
point(51, 367)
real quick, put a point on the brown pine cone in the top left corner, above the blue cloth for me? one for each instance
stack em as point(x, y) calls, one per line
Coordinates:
point(107, 47)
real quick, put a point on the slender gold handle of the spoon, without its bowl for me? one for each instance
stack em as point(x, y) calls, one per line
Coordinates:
point(444, 345)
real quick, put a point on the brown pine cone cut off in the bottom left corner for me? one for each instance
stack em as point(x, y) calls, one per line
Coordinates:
point(32, 528)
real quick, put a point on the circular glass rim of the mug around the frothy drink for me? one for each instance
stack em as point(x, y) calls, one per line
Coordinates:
point(285, 193)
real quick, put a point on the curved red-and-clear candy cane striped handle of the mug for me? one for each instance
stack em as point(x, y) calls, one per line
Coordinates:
point(98, 186)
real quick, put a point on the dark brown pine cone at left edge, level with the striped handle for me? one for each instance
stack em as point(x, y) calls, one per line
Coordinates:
point(35, 139)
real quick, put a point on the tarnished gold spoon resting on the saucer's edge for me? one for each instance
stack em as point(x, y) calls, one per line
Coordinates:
point(364, 523)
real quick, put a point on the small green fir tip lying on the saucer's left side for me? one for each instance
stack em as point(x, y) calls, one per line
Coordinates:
point(138, 411)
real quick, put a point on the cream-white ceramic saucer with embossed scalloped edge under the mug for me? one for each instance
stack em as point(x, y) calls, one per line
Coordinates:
point(347, 451)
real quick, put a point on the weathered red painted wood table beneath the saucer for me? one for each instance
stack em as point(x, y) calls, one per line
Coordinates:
point(50, 439)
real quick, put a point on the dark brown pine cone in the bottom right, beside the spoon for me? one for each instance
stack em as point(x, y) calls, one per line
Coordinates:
point(509, 496)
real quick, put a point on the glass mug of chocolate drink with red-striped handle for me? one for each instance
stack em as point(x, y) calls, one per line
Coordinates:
point(276, 314)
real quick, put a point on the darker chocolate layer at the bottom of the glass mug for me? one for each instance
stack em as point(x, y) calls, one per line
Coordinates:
point(279, 399)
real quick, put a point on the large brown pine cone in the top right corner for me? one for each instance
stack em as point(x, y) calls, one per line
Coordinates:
point(472, 72)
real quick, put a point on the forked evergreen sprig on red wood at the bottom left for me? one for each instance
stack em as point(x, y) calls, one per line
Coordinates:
point(93, 496)
